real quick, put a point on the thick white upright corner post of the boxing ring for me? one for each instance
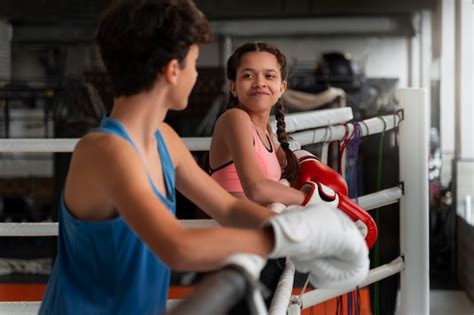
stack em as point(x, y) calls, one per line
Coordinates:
point(414, 228)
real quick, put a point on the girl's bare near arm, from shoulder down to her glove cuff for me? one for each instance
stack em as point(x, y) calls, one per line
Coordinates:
point(235, 127)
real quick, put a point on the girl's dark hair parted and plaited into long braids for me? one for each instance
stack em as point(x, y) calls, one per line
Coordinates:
point(291, 170)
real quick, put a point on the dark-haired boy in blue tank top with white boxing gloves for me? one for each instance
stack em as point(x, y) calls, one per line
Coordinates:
point(118, 236)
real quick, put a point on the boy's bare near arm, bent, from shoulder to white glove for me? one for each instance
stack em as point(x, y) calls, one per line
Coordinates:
point(121, 171)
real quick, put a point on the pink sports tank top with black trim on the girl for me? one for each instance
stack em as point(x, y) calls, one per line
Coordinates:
point(226, 175)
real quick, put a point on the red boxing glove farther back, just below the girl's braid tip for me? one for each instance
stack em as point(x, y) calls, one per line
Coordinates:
point(312, 169)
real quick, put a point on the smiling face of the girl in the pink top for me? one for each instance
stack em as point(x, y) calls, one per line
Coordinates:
point(258, 84)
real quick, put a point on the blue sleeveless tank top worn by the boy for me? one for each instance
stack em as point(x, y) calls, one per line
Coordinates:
point(102, 267)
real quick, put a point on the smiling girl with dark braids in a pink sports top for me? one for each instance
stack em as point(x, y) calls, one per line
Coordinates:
point(243, 158)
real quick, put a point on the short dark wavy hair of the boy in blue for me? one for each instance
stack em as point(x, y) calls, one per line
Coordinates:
point(137, 38)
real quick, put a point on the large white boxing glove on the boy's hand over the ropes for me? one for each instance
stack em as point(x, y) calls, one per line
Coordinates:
point(322, 241)
